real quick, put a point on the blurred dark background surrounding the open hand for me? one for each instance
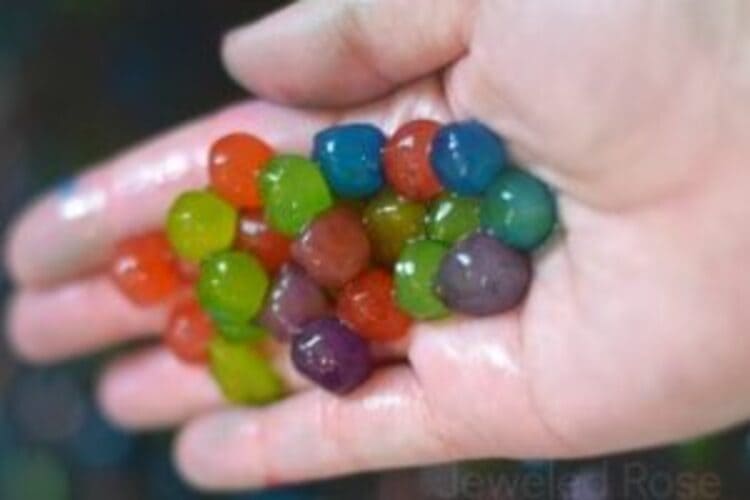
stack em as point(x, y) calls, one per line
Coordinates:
point(80, 79)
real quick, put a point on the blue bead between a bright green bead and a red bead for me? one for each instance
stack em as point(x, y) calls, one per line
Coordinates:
point(350, 158)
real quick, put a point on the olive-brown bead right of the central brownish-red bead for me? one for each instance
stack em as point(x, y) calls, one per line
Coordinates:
point(391, 221)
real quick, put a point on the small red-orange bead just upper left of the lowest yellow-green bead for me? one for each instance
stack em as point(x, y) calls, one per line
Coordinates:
point(189, 332)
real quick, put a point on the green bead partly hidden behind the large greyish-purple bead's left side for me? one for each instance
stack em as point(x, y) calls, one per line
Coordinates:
point(416, 271)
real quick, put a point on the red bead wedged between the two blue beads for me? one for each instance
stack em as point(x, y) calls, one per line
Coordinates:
point(406, 160)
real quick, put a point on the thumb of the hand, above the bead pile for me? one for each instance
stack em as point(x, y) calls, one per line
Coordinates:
point(323, 52)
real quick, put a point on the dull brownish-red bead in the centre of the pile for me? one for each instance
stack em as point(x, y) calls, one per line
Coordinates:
point(334, 248)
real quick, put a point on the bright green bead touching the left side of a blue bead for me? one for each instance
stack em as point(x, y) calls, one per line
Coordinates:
point(294, 192)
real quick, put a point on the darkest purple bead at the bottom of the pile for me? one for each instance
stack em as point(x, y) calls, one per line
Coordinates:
point(332, 355)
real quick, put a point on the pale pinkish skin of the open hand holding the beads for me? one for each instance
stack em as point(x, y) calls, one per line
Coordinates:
point(635, 330)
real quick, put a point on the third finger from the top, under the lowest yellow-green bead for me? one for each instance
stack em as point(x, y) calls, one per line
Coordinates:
point(153, 389)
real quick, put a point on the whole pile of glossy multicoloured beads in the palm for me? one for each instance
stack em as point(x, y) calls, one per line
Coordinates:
point(338, 251)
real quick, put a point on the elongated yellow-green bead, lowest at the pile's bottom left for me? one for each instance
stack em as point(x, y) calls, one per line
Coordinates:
point(243, 374)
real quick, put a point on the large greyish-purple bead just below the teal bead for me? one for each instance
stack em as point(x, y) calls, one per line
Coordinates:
point(480, 277)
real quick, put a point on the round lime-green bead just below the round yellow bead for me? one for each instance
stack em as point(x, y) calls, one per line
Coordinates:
point(232, 286)
